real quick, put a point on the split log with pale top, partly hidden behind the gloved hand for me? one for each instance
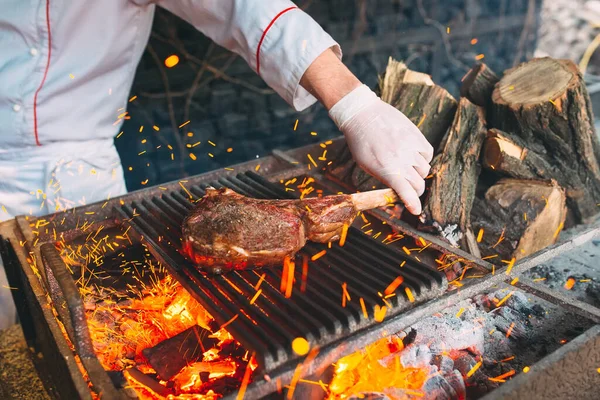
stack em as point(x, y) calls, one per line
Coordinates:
point(426, 104)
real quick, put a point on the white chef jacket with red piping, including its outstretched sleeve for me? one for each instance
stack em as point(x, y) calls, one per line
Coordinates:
point(66, 69)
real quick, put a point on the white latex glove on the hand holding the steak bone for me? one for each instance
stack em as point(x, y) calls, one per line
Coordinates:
point(385, 143)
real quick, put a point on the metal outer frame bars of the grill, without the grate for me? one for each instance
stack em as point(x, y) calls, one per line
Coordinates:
point(60, 373)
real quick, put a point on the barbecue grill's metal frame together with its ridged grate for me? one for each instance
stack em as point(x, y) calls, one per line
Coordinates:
point(268, 325)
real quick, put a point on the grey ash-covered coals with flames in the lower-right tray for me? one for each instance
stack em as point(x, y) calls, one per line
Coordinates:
point(472, 347)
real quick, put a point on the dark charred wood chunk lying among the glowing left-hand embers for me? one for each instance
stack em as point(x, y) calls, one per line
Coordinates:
point(170, 356)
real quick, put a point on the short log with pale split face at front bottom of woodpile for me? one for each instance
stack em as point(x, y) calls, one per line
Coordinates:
point(518, 217)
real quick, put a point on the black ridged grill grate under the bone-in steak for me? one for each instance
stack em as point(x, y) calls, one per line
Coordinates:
point(269, 326)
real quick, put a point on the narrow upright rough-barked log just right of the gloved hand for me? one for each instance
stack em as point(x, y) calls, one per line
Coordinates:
point(455, 171)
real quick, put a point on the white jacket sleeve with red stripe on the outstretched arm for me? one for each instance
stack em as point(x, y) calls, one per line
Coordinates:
point(277, 39)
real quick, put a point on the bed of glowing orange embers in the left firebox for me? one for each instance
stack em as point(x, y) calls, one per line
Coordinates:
point(128, 318)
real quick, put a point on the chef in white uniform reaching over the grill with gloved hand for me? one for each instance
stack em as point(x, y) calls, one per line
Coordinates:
point(66, 69)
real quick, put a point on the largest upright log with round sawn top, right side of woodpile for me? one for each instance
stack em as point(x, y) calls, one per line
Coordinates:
point(544, 108)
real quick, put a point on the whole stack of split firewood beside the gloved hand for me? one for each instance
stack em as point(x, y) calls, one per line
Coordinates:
point(517, 156)
